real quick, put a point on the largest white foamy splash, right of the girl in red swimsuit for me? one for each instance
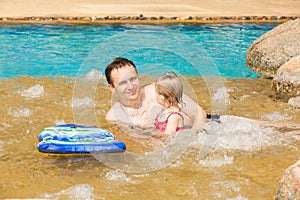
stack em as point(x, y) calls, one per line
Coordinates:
point(235, 133)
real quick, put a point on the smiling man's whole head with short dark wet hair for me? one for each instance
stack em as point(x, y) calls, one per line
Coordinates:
point(122, 79)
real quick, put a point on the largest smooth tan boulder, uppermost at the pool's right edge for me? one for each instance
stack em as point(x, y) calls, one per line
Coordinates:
point(274, 48)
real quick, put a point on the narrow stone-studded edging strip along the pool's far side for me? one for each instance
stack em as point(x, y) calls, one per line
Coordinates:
point(141, 19)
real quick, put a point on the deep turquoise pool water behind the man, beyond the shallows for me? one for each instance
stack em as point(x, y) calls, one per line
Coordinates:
point(46, 50)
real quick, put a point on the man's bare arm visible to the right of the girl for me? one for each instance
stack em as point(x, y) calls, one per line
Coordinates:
point(194, 112)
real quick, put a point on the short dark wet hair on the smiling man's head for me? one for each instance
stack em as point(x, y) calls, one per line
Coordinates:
point(117, 63)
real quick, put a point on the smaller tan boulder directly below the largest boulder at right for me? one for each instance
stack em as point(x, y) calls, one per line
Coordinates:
point(287, 78)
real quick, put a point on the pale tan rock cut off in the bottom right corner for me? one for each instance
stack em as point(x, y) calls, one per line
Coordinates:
point(289, 186)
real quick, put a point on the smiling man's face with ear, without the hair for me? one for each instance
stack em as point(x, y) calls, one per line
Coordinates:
point(126, 83)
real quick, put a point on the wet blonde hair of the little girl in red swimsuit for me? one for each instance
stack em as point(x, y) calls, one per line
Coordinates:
point(169, 86)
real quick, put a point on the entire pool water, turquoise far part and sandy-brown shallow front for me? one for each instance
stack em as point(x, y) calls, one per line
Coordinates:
point(246, 162)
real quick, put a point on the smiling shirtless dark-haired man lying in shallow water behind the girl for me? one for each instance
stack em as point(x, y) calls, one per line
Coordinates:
point(138, 106)
